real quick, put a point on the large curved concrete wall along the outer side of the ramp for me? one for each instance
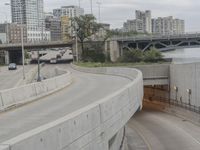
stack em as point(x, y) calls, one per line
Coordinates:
point(92, 127)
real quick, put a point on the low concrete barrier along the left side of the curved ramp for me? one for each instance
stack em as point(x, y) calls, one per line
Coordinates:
point(30, 92)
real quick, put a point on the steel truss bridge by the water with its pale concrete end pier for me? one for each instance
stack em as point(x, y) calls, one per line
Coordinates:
point(145, 42)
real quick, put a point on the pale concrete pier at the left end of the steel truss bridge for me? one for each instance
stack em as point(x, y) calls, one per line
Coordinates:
point(114, 50)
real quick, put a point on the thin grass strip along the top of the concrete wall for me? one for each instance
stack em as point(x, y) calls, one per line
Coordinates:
point(92, 64)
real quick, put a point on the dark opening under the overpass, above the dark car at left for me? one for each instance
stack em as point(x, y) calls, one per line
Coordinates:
point(15, 57)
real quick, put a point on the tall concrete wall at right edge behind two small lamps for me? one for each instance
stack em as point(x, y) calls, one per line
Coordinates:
point(185, 76)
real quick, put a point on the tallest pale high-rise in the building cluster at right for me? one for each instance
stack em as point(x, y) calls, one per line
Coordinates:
point(145, 17)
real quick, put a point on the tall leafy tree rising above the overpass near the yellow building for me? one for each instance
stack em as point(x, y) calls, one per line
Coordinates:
point(85, 26)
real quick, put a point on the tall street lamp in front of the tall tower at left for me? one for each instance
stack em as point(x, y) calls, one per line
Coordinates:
point(22, 34)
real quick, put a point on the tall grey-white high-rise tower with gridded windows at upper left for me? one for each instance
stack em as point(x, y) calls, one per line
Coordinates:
point(32, 16)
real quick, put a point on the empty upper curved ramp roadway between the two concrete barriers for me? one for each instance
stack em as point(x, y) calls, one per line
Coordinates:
point(85, 89)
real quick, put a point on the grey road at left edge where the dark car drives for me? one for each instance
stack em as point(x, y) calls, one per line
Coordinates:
point(9, 78)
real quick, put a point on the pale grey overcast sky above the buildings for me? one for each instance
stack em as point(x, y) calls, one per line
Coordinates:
point(116, 12)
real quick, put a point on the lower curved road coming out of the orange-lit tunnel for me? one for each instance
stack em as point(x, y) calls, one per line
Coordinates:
point(162, 131)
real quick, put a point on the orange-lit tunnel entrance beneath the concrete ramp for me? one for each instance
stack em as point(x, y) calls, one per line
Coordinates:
point(157, 93)
